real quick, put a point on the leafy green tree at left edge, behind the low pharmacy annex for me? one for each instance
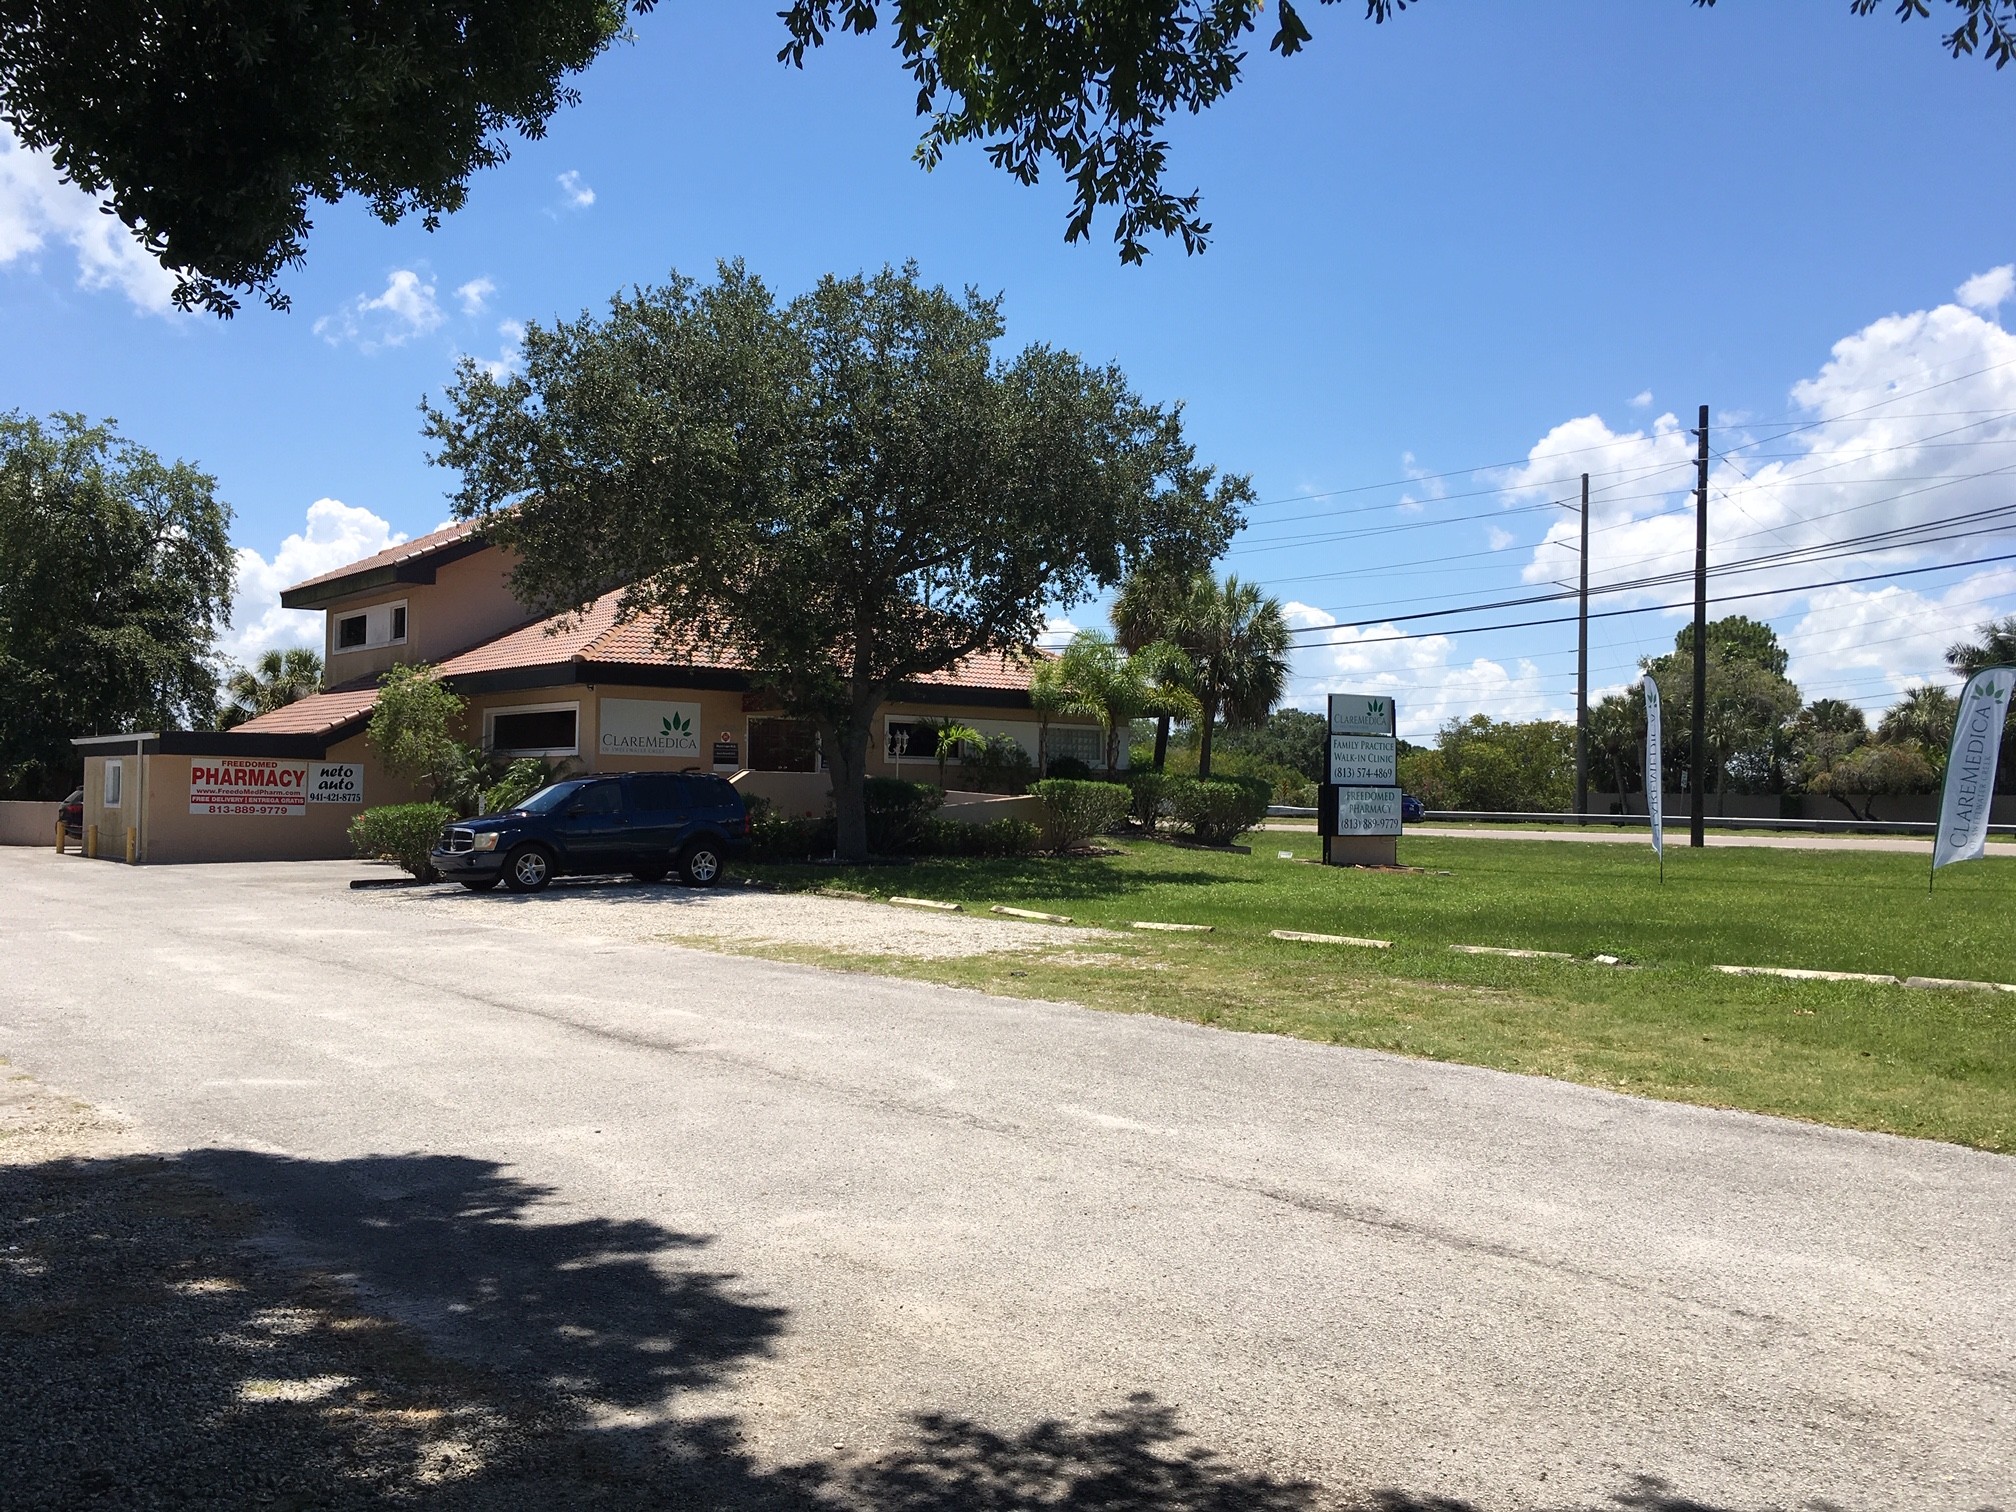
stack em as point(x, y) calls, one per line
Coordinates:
point(116, 578)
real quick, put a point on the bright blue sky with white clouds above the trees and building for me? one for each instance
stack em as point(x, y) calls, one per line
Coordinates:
point(1479, 235)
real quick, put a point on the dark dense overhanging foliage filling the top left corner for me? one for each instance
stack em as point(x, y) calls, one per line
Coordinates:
point(209, 126)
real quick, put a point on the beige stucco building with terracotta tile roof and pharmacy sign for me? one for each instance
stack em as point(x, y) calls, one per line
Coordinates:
point(586, 690)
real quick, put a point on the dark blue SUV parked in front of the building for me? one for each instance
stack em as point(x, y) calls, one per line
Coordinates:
point(644, 824)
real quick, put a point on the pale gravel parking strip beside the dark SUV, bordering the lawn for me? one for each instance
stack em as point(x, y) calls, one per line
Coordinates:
point(739, 916)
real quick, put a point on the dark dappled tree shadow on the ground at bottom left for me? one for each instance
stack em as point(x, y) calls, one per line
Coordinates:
point(428, 1332)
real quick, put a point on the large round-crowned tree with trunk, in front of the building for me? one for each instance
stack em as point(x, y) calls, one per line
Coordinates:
point(846, 491)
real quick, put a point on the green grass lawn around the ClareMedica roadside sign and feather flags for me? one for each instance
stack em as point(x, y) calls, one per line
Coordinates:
point(1874, 1057)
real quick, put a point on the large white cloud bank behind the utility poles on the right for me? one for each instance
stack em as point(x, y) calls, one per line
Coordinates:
point(1910, 426)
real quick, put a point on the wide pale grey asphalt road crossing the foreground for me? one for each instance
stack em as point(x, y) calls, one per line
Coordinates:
point(709, 1196)
